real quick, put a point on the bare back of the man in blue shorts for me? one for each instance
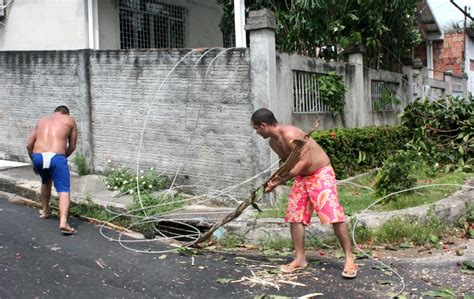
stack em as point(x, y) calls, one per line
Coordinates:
point(54, 134)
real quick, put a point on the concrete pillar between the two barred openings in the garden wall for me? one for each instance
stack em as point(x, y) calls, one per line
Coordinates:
point(357, 106)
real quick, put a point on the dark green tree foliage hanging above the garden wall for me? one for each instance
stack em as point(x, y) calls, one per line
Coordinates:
point(323, 28)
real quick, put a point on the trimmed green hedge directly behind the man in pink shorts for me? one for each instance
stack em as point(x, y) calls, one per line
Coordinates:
point(358, 150)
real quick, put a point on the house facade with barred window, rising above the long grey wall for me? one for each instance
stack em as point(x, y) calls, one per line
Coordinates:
point(109, 24)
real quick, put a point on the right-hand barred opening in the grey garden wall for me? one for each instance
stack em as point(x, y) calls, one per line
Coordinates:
point(383, 95)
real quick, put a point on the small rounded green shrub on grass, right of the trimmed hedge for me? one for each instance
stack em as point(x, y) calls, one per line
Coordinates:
point(397, 173)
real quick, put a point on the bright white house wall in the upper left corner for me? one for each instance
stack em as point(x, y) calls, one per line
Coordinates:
point(45, 25)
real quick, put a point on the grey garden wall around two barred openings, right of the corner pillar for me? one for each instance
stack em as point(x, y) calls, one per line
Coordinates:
point(358, 113)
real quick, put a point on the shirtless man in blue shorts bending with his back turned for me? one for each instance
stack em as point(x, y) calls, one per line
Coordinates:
point(49, 144)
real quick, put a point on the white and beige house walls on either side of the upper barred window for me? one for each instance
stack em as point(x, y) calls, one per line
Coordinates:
point(63, 24)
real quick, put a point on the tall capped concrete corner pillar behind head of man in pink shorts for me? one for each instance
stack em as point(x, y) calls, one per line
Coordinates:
point(261, 25)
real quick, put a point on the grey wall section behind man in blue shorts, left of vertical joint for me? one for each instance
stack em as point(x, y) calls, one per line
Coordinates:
point(33, 84)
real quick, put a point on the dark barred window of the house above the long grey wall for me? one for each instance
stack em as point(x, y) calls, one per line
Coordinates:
point(151, 24)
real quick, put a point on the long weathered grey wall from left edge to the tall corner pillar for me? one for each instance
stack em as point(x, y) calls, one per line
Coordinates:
point(199, 127)
